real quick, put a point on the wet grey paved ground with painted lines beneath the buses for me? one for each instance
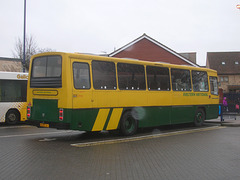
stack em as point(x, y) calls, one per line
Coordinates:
point(169, 152)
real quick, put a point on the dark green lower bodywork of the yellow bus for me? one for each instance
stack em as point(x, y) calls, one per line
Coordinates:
point(84, 119)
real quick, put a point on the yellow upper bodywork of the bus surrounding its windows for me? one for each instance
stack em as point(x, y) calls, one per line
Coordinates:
point(71, 98)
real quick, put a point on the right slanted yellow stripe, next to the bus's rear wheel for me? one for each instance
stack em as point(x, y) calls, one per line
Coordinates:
point(115, 118)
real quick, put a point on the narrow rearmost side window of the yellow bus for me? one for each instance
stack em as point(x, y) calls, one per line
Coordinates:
point(81, 76)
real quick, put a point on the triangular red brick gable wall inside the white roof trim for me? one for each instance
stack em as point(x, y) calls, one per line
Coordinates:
point(147, 50)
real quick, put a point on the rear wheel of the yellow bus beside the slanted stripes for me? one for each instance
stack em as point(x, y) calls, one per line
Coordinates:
point(128, 125)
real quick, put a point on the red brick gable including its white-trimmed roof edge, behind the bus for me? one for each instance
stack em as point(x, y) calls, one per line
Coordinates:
point(147, 48)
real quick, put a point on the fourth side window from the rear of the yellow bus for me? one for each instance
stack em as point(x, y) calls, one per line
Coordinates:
point(158, 78)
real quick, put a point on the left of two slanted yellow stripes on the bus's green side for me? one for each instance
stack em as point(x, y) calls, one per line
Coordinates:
point(100, 120)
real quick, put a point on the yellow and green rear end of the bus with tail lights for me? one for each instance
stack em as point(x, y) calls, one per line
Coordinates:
point(48, 91)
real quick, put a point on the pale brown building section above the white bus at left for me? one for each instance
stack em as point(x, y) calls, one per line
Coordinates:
point(10, 66)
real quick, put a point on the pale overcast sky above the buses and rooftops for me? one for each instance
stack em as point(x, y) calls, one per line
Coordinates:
point(98, 26)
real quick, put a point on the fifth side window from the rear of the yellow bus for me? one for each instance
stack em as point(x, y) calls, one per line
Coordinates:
point(181, 80)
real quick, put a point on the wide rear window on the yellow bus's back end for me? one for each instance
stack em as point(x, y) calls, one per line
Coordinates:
point(47, 66)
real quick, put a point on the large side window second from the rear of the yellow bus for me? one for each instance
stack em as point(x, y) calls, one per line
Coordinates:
point(104, 75)
